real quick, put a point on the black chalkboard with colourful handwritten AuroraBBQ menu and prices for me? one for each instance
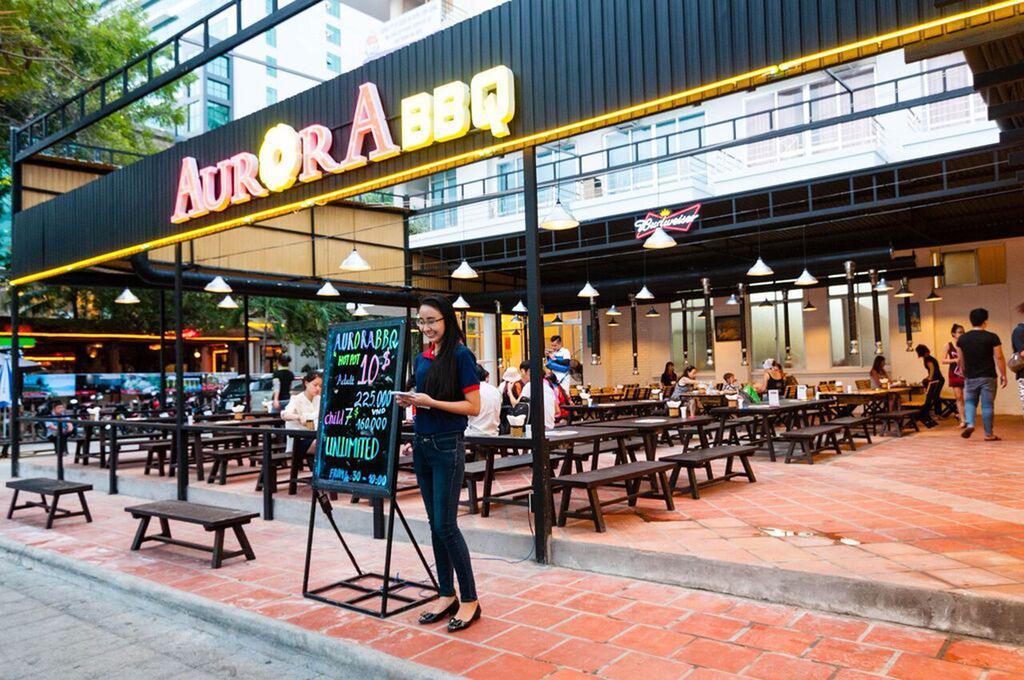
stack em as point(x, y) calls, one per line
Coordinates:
point(357, 447)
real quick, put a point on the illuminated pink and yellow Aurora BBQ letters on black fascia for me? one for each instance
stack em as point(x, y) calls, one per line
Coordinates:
point(288, 155)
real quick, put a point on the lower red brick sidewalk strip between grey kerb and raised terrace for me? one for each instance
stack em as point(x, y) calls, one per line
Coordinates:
point(540, 622)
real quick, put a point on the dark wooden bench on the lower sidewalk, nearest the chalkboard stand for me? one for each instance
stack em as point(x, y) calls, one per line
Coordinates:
point(209, 518)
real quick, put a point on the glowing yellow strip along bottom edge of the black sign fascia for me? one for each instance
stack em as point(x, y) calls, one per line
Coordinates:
point(635, 111)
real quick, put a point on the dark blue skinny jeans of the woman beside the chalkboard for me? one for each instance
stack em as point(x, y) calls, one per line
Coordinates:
point(440, 461)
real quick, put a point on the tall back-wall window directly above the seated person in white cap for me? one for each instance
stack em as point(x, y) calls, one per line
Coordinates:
point(769, 329)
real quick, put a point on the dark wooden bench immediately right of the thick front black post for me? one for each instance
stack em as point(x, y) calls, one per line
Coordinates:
point(631, 474)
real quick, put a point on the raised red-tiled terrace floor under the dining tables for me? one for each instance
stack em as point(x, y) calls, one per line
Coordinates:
point(929, 511)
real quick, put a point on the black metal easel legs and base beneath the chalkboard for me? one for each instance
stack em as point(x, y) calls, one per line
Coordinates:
point(390, 588)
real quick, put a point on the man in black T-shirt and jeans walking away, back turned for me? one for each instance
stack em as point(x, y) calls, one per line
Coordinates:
point(982, 354)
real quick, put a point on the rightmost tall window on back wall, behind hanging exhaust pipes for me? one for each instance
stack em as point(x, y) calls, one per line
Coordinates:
point(839, 330)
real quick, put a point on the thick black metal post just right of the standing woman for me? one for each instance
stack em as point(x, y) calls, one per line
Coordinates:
point(542, 470)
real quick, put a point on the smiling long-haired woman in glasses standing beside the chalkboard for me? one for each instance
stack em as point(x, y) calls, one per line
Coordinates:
point(447, 394)
